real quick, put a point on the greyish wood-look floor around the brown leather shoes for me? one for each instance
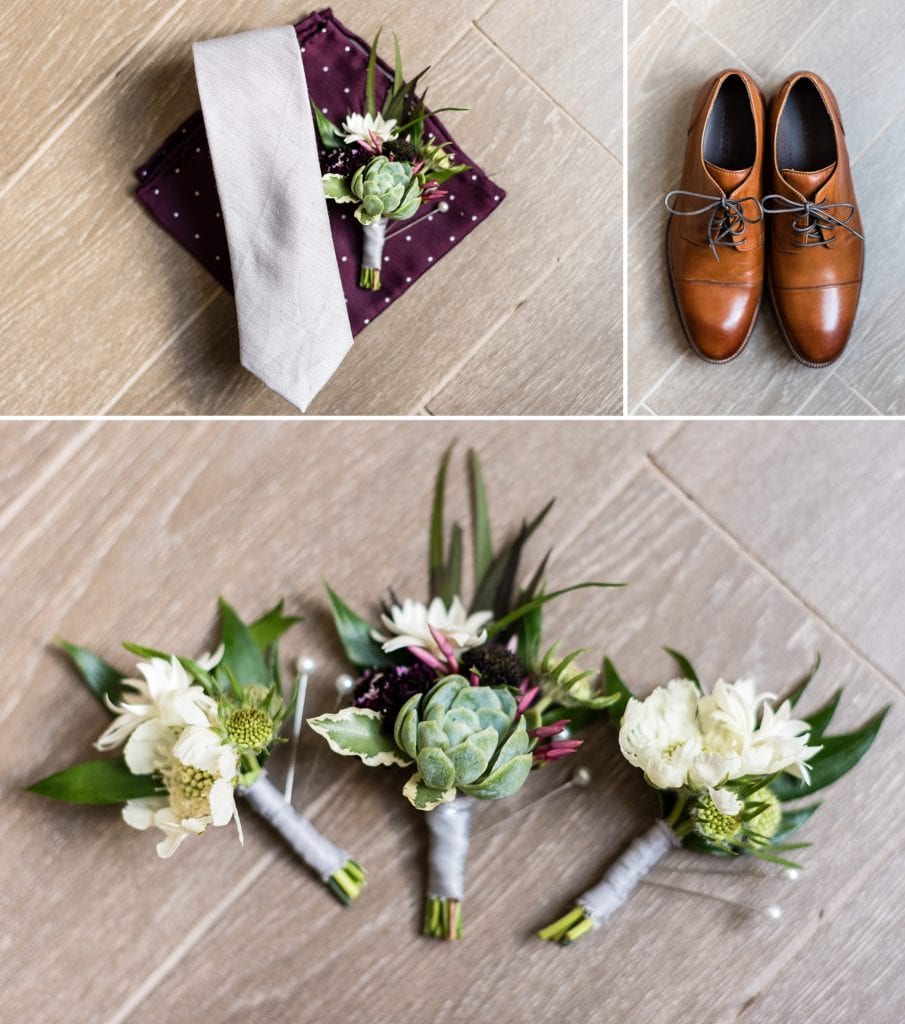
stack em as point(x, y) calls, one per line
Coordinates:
point(674, 49)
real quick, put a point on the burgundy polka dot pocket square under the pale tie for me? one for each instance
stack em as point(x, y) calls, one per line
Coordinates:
point(178, 184)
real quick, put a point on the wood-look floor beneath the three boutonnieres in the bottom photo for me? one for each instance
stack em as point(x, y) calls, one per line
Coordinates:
point(132, 530)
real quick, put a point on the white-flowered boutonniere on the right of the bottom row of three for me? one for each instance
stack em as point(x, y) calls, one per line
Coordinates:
point(728, 765)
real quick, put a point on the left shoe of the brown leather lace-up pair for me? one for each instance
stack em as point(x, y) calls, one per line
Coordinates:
point(715, 241)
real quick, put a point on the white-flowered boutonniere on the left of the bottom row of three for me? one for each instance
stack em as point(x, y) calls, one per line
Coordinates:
point(196, 734)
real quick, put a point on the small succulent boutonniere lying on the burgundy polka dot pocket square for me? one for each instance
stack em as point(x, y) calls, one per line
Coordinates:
point(382, 163)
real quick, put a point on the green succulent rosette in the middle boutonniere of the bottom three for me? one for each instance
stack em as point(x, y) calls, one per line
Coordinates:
point(464, 738)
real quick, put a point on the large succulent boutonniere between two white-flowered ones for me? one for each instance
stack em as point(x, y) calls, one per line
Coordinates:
point(460, 694)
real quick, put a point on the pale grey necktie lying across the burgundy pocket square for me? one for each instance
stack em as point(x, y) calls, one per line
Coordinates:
point(293, 326)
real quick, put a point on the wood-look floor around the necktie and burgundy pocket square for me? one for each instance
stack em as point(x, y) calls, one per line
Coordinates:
point(102, 313)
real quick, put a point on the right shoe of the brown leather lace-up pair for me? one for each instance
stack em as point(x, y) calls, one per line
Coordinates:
point(816, 246)
